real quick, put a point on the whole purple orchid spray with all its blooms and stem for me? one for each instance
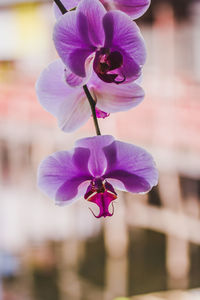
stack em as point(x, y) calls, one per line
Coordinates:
point(102, 53)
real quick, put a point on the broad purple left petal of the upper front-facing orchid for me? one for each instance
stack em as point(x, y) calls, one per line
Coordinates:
point(72, 41)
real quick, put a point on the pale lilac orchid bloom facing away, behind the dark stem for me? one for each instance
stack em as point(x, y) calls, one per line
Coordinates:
point(70, 105)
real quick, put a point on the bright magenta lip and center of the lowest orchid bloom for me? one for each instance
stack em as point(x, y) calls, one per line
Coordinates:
point(101, 193)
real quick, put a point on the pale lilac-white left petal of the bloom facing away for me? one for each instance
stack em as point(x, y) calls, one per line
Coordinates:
point(68, 105)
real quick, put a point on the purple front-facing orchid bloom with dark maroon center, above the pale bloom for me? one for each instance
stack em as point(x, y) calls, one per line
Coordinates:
point(110, 41)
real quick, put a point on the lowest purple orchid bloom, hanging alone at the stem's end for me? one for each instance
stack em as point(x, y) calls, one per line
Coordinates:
point(94, 169)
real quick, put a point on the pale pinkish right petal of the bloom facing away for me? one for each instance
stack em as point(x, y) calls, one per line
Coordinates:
point(114, 98)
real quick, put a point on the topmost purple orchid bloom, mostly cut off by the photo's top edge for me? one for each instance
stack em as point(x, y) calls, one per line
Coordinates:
point(134, 8)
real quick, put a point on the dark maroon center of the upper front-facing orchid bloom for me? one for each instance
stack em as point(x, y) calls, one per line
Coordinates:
point(106, 63)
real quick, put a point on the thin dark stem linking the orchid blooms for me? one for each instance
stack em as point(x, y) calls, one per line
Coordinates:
point(86, 90)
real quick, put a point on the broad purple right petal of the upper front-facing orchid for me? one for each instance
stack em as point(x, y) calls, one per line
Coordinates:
point(123, 35)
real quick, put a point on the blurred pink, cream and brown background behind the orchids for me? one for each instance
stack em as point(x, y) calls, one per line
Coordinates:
point(152, 243)
